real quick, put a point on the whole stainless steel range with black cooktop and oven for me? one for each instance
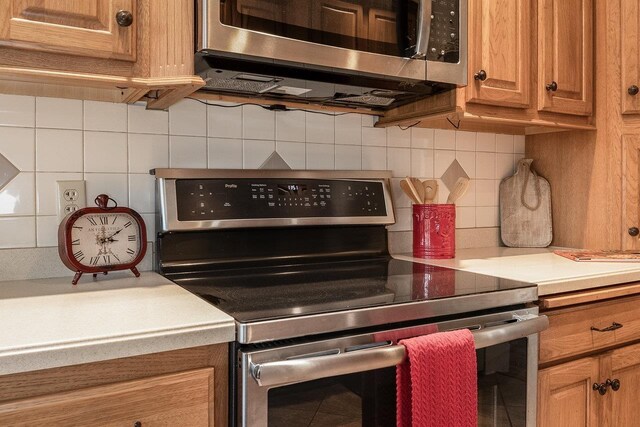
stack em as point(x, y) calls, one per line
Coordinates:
point(300, 260)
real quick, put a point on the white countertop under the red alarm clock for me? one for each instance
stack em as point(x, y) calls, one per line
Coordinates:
point(49, 323)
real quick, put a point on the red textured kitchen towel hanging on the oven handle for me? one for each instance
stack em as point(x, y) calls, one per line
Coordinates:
point(437, 383)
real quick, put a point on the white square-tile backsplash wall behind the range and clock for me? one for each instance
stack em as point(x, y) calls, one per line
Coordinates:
point(113, 146)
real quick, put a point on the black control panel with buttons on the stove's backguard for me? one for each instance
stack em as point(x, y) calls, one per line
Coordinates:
point(238, 199)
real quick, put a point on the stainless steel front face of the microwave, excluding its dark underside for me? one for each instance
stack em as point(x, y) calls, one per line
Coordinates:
point(390, 38)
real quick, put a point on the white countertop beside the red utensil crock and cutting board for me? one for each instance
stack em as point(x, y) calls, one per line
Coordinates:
point(552, 273)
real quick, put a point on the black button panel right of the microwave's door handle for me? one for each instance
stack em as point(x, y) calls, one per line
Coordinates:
point(444, 38)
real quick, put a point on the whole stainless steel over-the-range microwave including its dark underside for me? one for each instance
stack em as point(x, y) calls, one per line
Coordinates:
point(374, 53)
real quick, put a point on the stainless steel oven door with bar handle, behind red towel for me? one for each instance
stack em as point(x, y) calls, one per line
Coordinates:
point(350, 381)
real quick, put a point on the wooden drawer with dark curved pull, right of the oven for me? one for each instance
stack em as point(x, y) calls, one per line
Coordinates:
point(570, 330)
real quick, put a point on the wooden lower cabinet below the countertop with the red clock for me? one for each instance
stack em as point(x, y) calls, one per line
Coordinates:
point(176, 388)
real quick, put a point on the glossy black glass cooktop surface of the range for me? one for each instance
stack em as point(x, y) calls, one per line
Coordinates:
point(266, 293)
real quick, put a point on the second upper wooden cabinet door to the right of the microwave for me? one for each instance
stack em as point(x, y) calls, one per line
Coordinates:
point(565, 56)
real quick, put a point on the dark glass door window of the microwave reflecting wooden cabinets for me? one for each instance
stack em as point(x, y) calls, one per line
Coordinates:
point(385, 27)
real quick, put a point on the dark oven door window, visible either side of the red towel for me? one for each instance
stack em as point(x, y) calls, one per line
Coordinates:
point(369, 398)
